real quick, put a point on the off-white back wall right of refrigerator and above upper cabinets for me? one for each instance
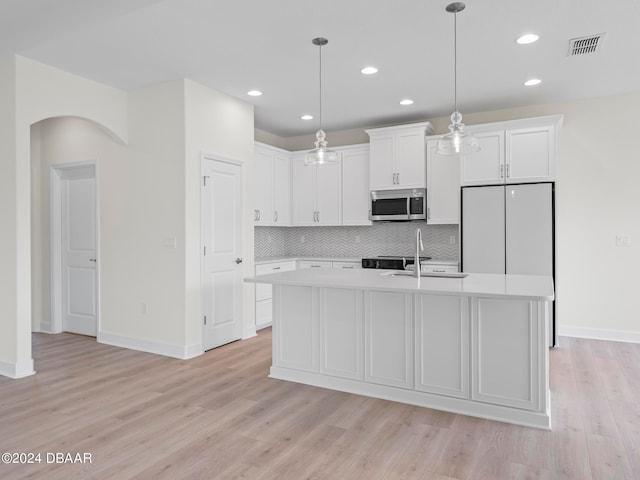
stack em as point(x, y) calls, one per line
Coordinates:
point(597, 197)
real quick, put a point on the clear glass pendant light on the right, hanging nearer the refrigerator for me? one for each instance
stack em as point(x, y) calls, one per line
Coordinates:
point(457, 141)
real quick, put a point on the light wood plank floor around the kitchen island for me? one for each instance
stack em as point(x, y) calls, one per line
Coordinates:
point(219, 417)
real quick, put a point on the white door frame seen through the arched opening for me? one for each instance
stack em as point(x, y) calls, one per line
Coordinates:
point(57, 174)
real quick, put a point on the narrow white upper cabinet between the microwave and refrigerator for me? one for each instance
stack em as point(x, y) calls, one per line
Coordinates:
point(443, 187)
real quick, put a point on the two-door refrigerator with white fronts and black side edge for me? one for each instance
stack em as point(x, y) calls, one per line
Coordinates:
point(509, 229)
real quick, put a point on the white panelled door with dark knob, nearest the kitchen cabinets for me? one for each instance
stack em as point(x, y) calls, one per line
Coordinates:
point(222, 251)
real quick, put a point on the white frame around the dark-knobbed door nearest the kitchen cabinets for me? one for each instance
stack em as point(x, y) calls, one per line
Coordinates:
point(204, 157)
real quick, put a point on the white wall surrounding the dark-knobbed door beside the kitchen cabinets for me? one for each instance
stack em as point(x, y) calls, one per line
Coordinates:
point(221, 126)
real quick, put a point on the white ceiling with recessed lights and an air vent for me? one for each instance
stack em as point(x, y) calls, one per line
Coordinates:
point(234, 46)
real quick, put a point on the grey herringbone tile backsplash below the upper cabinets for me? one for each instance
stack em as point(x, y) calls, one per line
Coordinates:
point(384, 238)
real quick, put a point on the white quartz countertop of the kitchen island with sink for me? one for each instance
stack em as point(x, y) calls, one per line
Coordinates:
point(527, 287)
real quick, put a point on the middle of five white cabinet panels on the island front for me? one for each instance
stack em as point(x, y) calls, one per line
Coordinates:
point(388, 336)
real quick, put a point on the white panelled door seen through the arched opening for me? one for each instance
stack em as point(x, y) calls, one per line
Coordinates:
point(78, 255)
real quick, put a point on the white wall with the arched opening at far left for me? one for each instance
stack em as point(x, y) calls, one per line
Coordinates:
point(31, 92)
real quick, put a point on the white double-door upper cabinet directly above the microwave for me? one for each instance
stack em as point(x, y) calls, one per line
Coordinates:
point(398, 156)
